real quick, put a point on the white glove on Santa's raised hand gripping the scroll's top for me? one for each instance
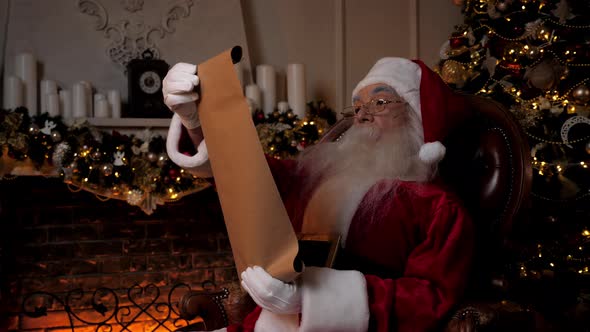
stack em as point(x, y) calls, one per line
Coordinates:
point(179, 96)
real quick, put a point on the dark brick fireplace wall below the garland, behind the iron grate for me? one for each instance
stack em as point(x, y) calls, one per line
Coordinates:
point(56, 240)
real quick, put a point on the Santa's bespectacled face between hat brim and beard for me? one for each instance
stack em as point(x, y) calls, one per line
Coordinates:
point(379, 107)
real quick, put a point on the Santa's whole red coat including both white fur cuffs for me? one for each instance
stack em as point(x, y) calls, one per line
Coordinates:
point(414, 254)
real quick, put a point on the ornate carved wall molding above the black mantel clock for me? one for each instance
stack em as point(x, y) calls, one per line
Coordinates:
point(131, 37)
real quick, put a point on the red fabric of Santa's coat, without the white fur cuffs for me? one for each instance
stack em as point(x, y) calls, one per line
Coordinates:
point(415, 252)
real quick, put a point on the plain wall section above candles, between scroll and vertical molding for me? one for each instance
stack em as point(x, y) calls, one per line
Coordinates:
point(280, 32)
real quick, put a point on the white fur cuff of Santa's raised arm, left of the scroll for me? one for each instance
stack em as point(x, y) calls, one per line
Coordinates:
point(197, 164)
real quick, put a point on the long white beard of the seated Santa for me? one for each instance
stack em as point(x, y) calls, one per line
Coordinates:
point(348, 168)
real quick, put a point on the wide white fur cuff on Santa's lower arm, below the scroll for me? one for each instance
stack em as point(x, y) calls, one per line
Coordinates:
point(334, 300)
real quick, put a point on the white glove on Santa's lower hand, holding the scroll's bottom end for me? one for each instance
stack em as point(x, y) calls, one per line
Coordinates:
point(270, 293)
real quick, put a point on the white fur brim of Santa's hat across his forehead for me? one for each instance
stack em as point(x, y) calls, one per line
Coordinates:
point(401, 74)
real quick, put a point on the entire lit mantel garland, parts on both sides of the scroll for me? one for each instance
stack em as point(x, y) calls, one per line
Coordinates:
point(131, 168)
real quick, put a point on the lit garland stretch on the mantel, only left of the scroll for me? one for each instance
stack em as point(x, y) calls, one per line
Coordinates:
point(117, 166)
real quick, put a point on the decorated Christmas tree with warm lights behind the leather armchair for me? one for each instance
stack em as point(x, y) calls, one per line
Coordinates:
point(533, 56)
